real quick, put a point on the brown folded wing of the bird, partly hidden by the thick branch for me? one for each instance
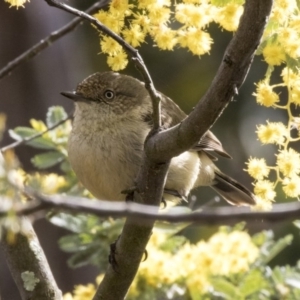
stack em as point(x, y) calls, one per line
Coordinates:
point(171, 114)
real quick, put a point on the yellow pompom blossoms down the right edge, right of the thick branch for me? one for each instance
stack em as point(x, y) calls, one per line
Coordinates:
point(280, 45)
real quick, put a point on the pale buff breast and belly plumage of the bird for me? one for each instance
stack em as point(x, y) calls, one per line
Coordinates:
point(107, 161)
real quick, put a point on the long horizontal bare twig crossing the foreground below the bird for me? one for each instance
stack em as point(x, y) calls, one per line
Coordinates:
point(208, 216)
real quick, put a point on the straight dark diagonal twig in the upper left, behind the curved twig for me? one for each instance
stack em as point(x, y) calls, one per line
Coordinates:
point(48, 41)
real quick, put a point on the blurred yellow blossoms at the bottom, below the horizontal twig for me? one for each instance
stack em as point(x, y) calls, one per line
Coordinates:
point(190, 267)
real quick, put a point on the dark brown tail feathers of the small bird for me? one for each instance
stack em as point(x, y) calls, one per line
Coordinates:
point(232, 191)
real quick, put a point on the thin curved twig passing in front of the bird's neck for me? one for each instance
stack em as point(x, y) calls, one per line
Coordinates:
point(136, 57)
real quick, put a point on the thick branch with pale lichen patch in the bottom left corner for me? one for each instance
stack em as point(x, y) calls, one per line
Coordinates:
point(25, 256)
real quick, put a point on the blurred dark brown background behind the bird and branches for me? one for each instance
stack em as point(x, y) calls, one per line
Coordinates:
point(36, 85)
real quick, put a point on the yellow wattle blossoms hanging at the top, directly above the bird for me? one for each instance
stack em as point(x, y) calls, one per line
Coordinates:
point(155, 18)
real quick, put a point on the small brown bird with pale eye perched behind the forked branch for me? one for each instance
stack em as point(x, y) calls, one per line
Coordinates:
point(113, 115)
